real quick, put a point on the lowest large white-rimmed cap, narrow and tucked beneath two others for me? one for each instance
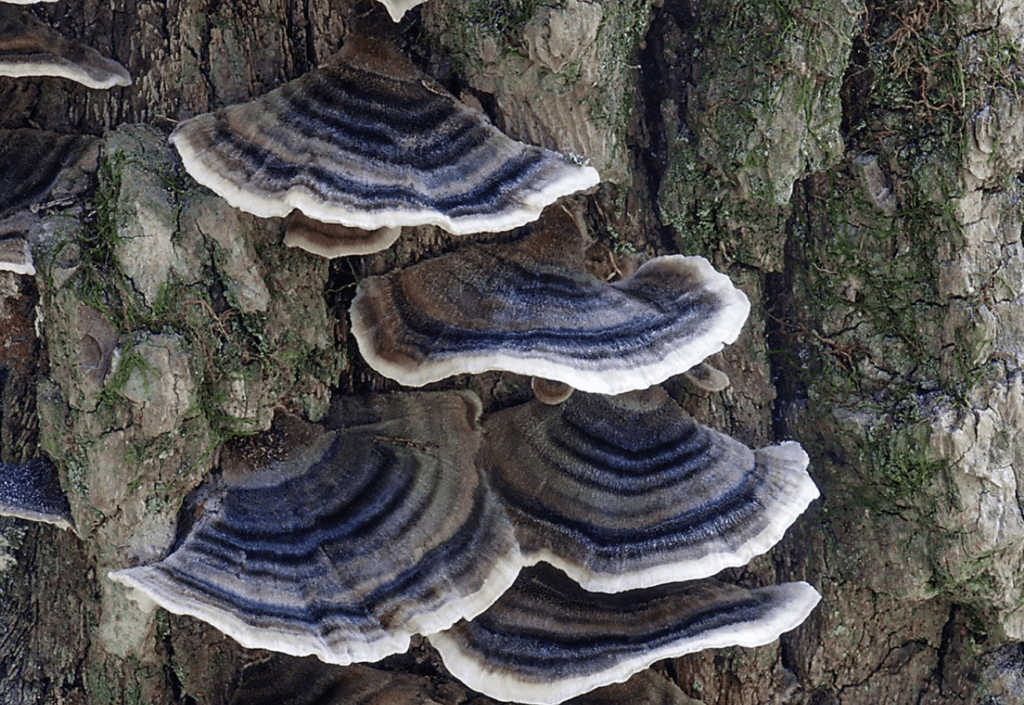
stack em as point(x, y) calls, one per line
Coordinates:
point(547, 640)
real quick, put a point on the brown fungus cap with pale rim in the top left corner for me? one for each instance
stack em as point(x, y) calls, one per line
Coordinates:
point(28, 48)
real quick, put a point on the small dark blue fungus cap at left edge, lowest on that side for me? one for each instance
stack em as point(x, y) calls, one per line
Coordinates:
point(32, 491)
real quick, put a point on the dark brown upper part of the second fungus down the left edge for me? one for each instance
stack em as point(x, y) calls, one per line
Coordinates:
point(32, 160)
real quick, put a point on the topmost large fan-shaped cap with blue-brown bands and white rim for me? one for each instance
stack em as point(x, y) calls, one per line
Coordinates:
point(369, 142)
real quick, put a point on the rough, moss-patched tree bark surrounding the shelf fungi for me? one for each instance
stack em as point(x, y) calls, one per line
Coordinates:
point(856, 168)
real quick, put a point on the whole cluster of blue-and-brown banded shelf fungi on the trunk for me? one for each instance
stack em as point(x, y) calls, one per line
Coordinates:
point(545, 551)
